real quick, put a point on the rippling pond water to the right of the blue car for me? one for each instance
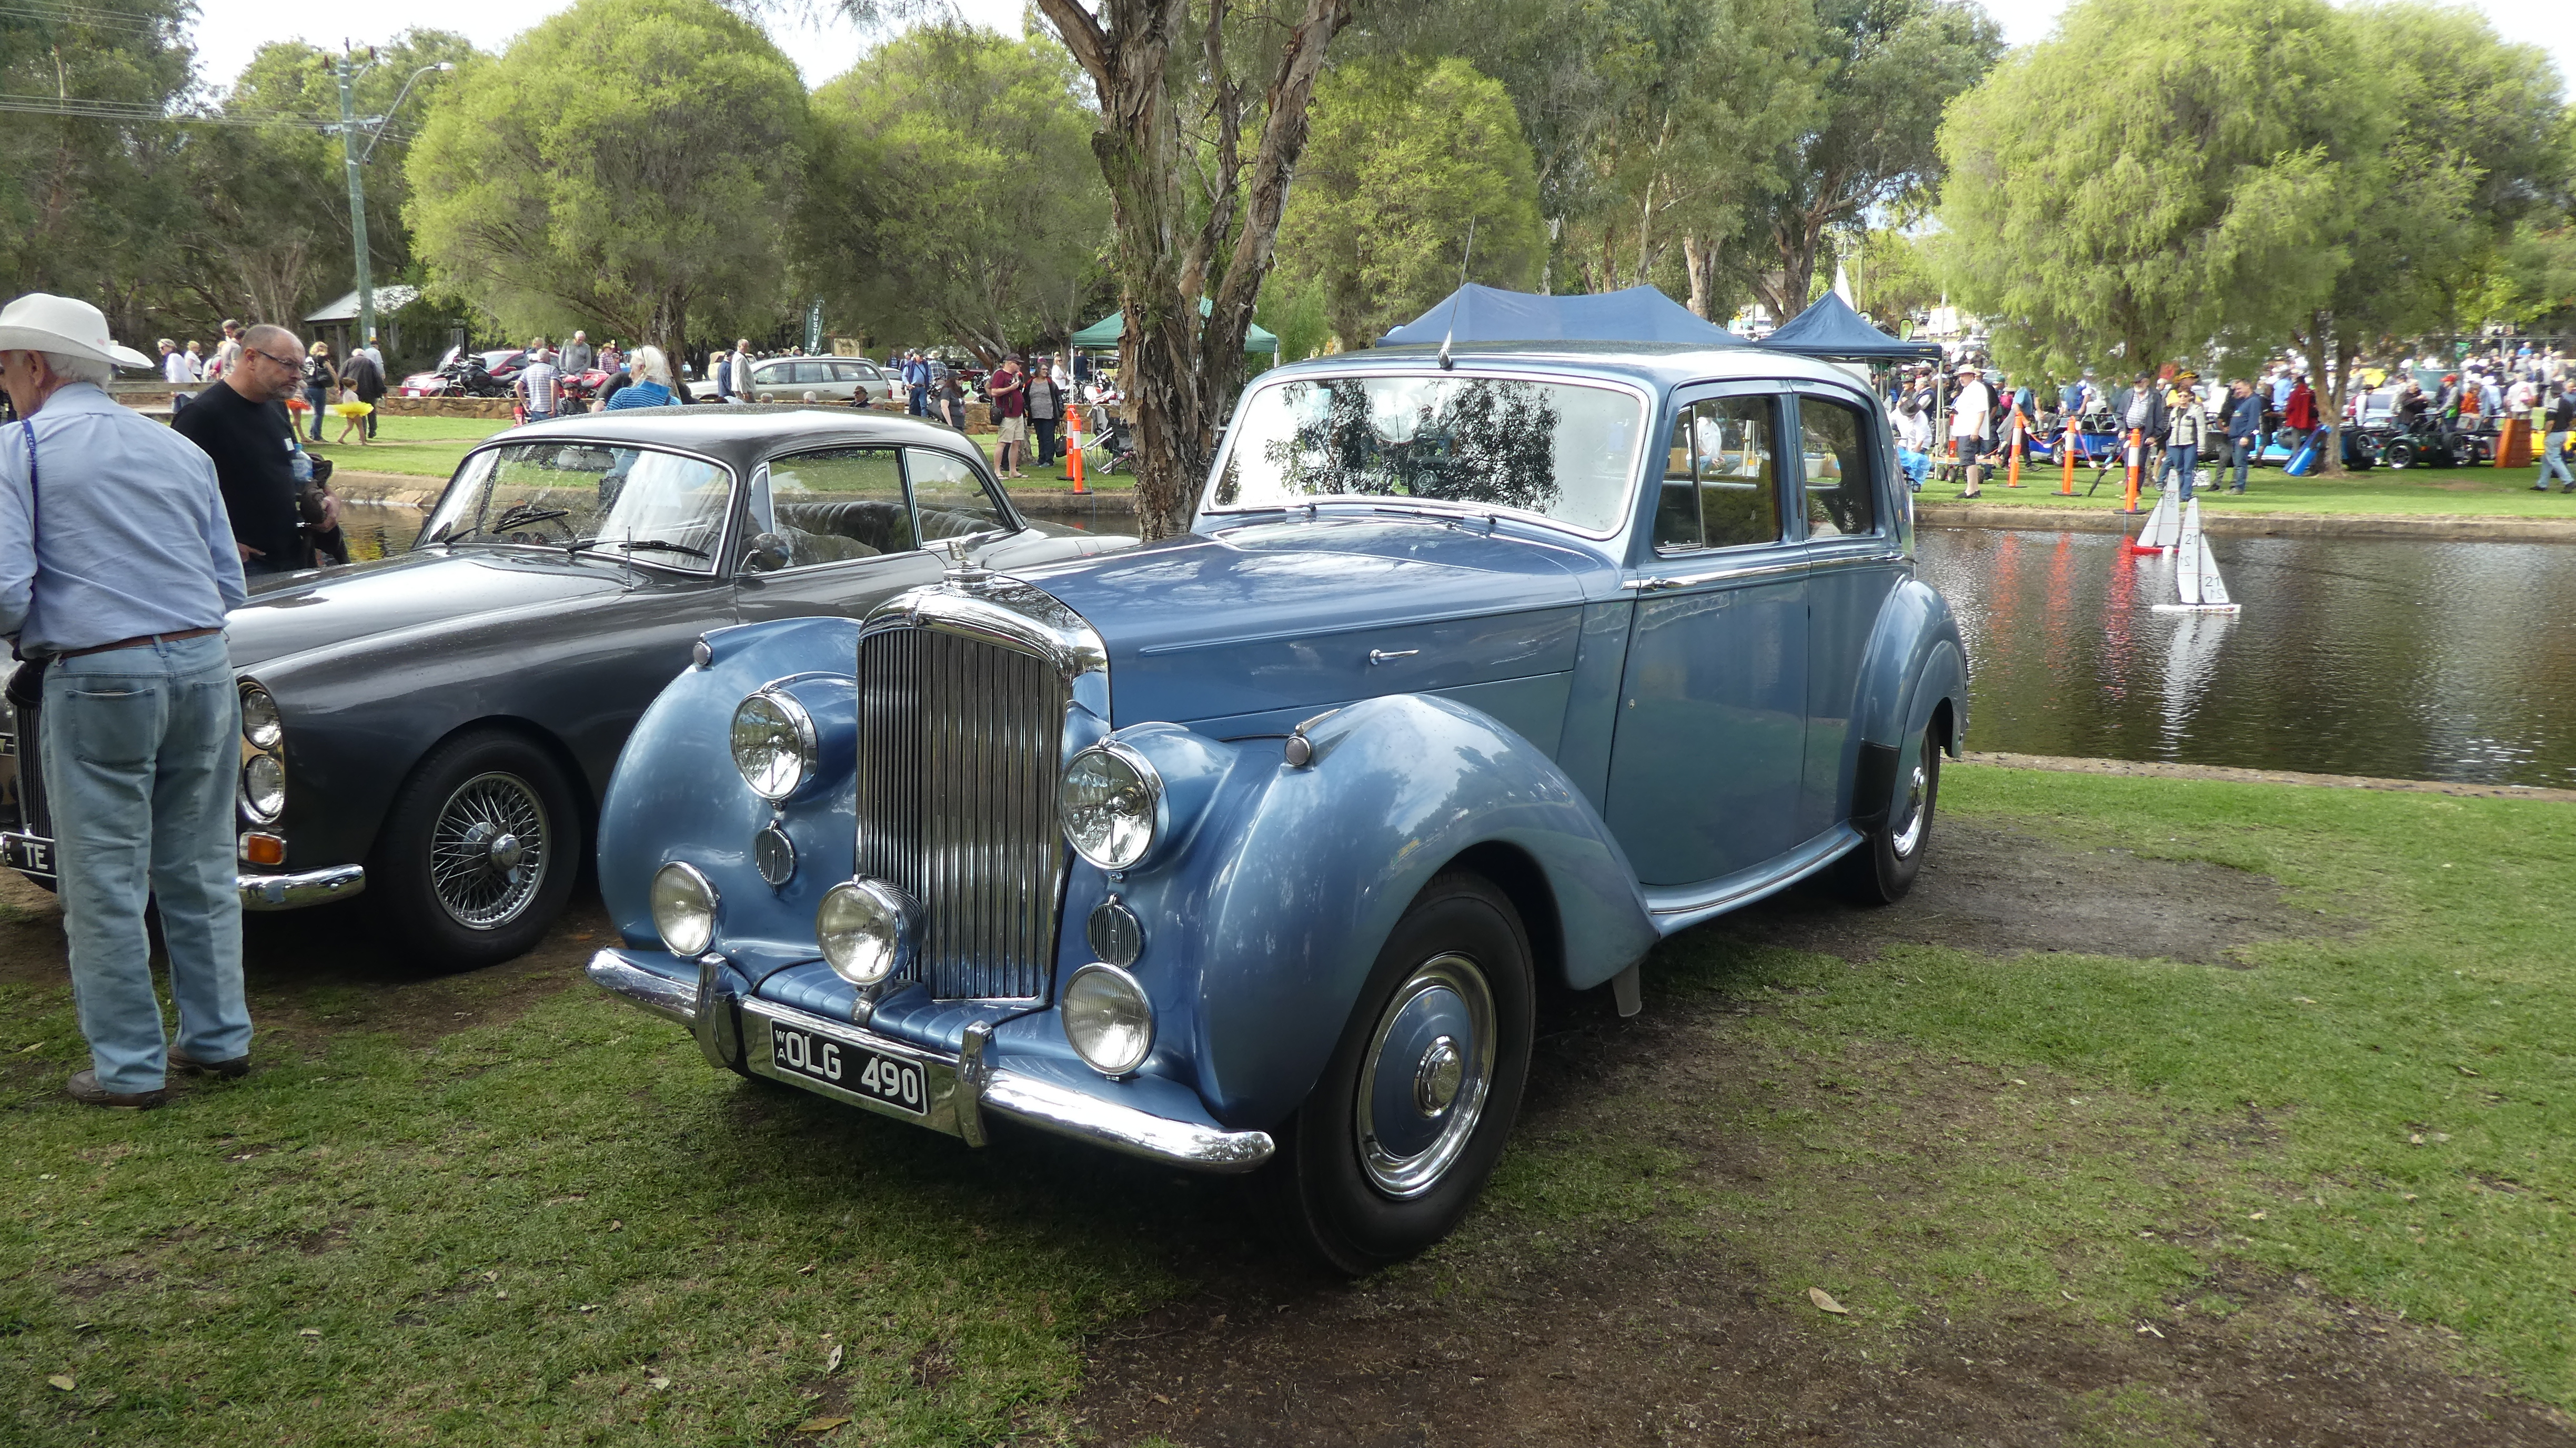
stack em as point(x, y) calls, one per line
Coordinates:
point(2353, 656)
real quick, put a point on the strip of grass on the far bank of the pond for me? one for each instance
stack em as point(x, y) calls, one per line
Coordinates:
point(2492, 493)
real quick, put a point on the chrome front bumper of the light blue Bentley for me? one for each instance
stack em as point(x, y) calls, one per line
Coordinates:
point(962, 1089)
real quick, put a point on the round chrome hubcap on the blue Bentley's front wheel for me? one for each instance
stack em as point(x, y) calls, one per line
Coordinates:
point(1426, 1076)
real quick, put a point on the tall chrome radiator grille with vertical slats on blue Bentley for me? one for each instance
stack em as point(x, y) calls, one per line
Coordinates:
point(957, 805)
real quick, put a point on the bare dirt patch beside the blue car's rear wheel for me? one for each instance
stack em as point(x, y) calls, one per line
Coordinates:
point(2000, 893)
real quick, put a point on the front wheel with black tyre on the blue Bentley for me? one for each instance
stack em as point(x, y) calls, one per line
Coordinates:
point(1423, 1089)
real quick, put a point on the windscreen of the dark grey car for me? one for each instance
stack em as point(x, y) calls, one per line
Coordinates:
point(663, 509)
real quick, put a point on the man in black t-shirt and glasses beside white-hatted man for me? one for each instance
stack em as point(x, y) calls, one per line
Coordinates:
point(243, 426)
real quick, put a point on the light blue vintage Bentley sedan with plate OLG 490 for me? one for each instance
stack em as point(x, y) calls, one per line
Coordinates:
point(1251, 849)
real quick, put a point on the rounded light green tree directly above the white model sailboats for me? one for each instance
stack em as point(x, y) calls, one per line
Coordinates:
point(2160, 171)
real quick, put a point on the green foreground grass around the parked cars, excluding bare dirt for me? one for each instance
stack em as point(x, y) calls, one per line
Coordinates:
point(504, 1210)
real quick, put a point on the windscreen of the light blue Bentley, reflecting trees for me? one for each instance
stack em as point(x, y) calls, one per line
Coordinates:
point(1542, 447)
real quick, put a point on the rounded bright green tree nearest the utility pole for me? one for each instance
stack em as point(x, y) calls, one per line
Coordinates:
point(625, 166)
